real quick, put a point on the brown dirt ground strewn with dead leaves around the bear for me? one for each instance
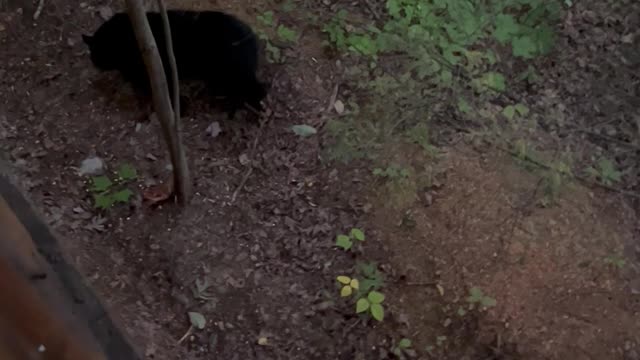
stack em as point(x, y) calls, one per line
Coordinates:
point(264, 246)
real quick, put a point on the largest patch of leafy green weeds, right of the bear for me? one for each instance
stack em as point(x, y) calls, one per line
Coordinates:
point(426, 48)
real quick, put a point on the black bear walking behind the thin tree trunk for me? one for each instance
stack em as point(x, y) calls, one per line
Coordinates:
point(211, 46)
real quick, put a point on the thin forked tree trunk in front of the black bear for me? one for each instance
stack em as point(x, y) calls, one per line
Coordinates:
point(169, 121)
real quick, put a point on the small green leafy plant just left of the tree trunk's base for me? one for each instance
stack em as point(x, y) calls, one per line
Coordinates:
point(106, 193)
